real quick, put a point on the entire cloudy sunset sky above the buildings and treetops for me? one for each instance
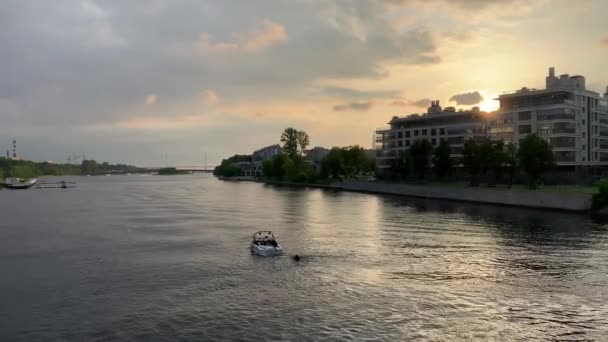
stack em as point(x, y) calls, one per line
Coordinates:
point(154, 82)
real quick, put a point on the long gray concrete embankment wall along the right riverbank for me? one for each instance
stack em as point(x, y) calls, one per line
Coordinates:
point(520, 198)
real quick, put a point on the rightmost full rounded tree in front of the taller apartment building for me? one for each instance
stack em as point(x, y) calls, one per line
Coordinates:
point(535, 157)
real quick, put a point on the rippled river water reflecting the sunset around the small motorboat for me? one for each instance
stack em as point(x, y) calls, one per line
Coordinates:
point(166, 258)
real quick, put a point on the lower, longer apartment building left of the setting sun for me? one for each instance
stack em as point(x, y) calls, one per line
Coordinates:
point(438, 123)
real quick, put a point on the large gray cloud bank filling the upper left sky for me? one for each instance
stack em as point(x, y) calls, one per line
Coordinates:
point(91, 62)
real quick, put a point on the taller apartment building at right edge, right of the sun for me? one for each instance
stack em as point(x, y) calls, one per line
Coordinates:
point(572, 118)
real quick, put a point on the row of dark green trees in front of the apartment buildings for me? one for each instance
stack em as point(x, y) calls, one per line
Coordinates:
point(494, 161)
